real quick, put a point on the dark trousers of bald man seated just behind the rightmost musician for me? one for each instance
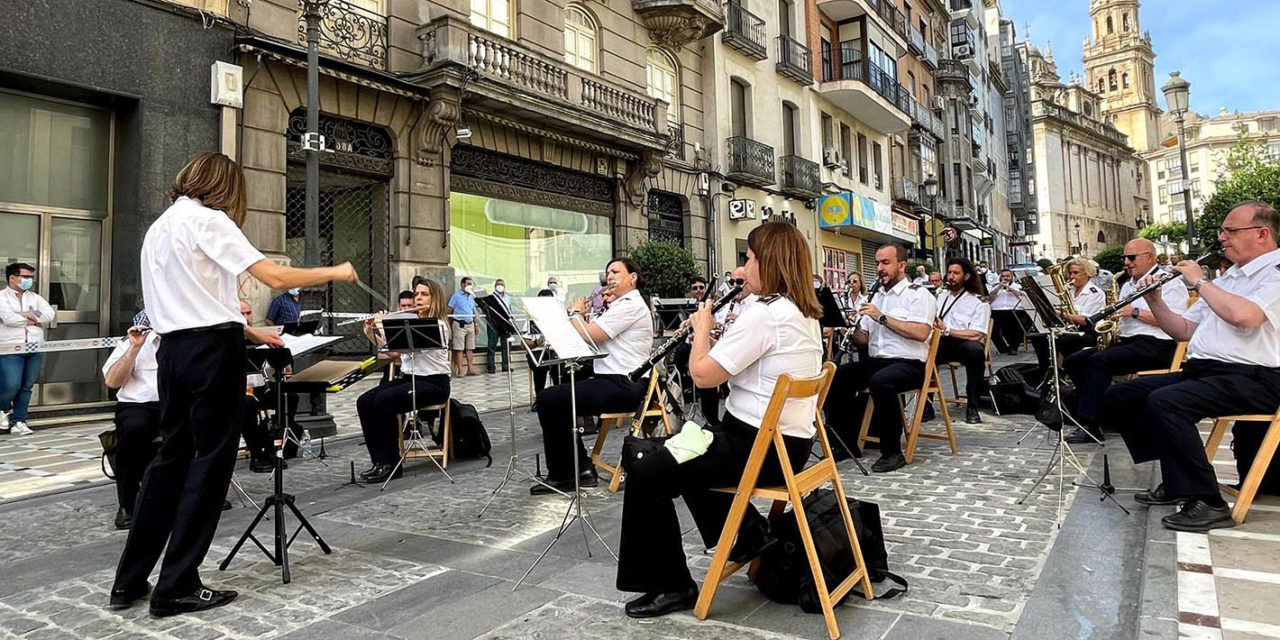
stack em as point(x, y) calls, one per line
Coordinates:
point(1091, 371)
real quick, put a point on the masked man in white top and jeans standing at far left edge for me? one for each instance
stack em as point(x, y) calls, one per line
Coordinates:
point(24, 317)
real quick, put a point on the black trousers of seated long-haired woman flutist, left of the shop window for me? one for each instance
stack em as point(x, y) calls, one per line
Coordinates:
point(381, 406)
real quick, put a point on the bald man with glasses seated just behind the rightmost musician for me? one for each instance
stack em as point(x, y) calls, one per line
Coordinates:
point(1140, 345)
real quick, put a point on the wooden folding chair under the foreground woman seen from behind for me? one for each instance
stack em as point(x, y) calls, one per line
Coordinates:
point(794, 490)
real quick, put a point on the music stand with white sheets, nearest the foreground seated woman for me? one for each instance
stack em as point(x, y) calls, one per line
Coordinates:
point(573, 354)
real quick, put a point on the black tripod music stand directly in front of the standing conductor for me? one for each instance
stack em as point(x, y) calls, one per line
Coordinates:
point(278, 359)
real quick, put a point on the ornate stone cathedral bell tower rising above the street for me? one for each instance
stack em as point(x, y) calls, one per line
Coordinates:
point(1119, 65)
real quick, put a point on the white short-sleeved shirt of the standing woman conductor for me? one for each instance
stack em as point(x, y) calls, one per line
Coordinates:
point(191, 258)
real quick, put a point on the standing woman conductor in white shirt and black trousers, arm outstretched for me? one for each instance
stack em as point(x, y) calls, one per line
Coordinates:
point(191, 259)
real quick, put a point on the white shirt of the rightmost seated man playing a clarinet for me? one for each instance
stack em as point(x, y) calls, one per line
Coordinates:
point(1259, 282)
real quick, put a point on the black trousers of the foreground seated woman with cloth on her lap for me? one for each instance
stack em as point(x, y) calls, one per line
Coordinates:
point(651, 552)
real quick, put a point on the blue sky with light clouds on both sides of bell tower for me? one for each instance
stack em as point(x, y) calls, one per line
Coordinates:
point(1229, 51)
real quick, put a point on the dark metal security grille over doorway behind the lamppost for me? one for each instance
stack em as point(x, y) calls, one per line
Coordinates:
point(354, 227)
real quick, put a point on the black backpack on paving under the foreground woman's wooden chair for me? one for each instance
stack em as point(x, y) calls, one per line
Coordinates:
point(784, 575)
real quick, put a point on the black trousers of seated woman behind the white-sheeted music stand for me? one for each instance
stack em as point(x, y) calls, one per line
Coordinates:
point(597, 395)
